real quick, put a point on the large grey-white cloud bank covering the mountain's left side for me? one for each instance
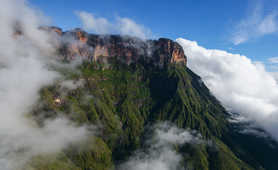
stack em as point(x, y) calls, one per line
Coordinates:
point(25, 56)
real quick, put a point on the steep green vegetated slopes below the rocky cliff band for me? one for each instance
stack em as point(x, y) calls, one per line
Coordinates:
point(123, 100)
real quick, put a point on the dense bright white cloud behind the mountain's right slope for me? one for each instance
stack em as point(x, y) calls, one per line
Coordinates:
point(241, 85)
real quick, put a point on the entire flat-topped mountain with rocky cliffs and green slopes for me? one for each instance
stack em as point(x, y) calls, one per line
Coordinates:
point(133, 90)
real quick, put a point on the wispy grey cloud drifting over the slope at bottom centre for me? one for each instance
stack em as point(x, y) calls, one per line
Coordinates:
point(161, 153)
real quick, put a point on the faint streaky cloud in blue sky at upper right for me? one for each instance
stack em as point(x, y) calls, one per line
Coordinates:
point(255, 25)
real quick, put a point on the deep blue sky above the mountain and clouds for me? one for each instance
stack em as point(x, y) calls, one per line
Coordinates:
point(213, 24)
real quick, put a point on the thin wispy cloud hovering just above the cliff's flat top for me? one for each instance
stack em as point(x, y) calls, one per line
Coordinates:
point(123, 26)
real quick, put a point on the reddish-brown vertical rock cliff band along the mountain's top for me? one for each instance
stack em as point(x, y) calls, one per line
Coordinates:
point(126, 49)
